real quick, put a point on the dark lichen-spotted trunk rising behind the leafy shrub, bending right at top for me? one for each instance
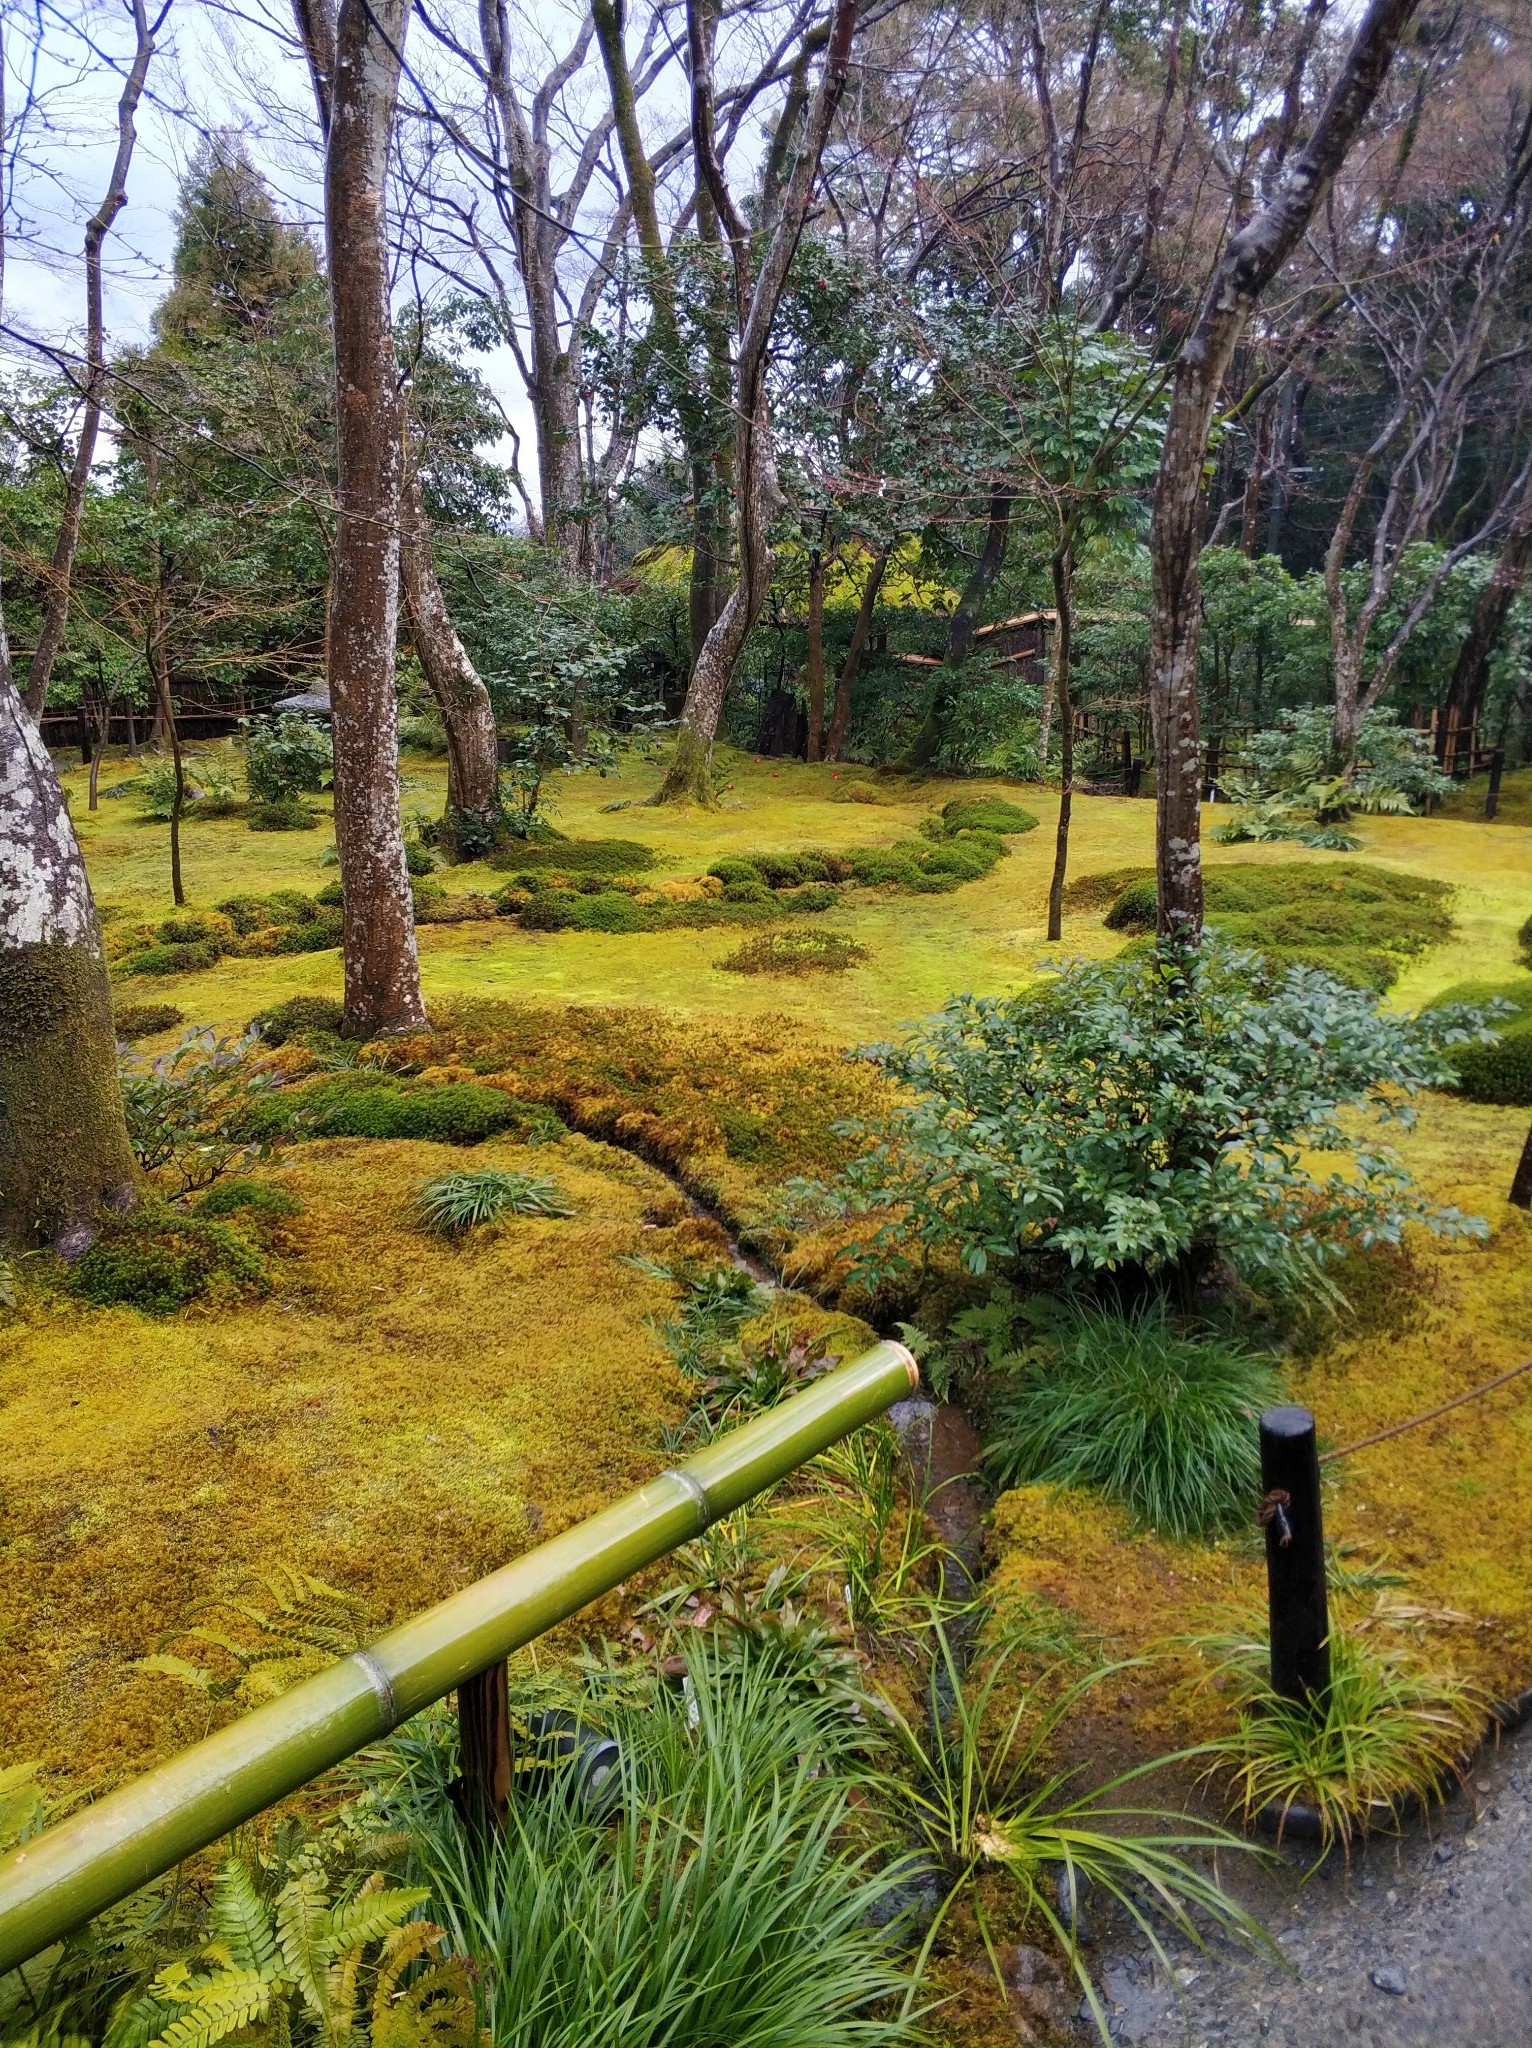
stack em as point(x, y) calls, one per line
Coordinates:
point(1248, 265)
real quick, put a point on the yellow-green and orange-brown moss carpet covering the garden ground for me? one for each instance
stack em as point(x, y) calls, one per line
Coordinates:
point(398, 1416)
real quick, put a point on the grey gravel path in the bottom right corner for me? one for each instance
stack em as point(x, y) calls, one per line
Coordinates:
point(1429, 1940)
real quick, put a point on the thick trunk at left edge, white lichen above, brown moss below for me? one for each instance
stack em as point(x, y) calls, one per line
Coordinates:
point(65, 1152)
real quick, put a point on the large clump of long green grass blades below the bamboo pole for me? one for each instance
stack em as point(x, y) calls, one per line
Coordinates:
point(718, 1904)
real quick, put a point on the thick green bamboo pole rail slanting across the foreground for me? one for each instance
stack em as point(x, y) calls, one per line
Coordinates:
point(65, 1877)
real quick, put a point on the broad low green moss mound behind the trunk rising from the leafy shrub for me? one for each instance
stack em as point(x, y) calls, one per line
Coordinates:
point(1353, 921)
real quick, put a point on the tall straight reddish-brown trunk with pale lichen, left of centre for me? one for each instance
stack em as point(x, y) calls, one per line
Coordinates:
point(357, 103)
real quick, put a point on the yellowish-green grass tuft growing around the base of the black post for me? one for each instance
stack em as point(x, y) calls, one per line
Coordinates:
point(1388, 1732)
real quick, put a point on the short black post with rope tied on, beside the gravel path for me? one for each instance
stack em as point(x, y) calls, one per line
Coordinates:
point(1295, 1555)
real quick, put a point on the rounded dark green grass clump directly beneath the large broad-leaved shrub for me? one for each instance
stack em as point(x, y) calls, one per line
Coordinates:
point(1156, 1420)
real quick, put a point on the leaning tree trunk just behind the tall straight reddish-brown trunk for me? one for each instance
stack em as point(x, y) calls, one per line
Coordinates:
point(472, 818)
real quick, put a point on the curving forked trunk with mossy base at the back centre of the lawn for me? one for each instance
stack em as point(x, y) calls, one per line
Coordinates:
point(755, 470)
